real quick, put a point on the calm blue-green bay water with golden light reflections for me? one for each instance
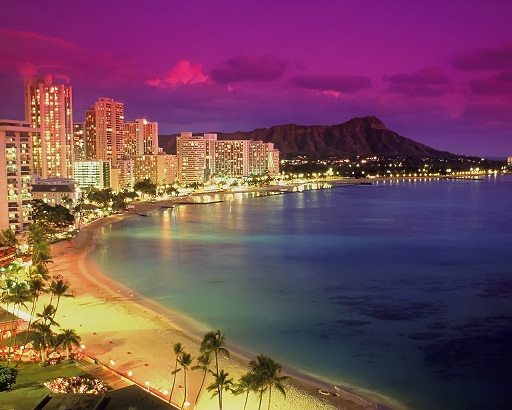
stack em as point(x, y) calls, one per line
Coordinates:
point(403, 288)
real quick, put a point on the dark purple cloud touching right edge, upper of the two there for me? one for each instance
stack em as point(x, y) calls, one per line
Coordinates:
point(485, 59)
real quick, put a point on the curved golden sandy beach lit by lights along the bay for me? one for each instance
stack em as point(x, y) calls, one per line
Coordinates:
point(136, 335)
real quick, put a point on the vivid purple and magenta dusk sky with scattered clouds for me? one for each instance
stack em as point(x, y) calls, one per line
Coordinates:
point(438, 72)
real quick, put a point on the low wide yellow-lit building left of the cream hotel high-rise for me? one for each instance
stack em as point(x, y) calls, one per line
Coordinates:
point(159, 169)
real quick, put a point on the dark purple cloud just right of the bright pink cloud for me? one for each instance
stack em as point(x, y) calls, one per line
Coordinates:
point(246, 68)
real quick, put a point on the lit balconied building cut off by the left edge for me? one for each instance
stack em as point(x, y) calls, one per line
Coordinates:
point(15, 172)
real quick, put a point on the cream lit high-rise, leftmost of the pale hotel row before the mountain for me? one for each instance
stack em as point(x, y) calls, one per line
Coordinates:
point(191, 154)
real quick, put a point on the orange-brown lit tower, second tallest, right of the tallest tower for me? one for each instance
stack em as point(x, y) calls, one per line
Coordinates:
point(104, 124)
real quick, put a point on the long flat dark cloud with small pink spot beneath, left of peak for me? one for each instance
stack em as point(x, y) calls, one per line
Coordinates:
point(332, 84)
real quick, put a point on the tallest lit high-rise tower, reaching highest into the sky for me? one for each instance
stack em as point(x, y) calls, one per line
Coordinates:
point(49, 108)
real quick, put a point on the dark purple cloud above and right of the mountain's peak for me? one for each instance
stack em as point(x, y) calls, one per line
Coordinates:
point(428, 82)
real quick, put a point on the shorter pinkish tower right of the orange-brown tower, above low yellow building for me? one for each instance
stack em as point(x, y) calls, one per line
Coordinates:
point(140, 137)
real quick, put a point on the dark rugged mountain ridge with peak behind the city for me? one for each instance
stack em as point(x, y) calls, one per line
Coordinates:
point(358, 136)
